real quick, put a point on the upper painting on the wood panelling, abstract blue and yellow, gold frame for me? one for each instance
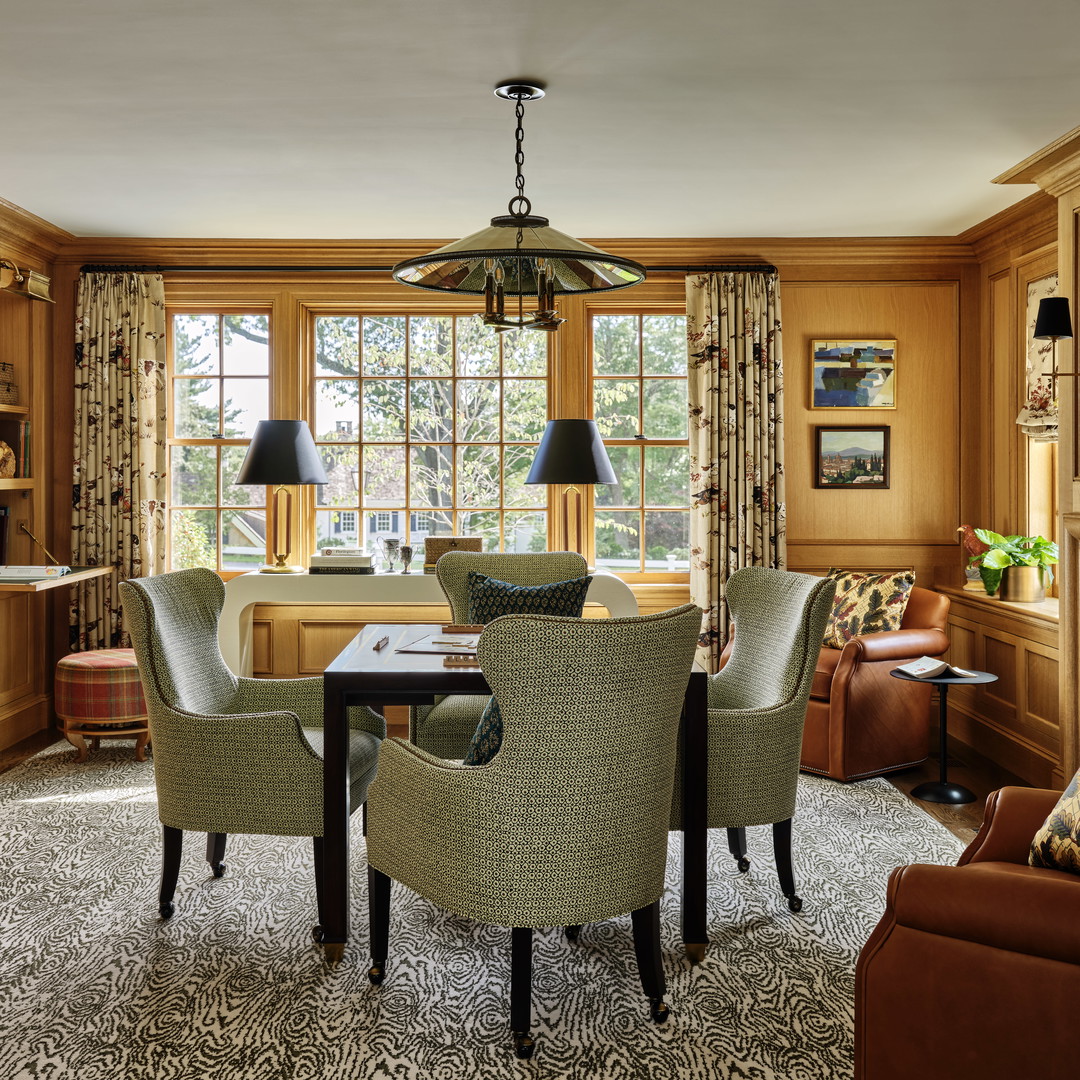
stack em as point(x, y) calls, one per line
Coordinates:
point(852, 373)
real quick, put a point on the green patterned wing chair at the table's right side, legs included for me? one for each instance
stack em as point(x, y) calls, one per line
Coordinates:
point(758, 705)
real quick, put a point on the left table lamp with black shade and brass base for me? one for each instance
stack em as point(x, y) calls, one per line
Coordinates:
point(282, 453)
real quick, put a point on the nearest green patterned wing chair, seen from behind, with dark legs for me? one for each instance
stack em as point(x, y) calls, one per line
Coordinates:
point(568, 823)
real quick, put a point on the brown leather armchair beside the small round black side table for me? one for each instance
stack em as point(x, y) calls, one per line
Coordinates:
point(861, 722)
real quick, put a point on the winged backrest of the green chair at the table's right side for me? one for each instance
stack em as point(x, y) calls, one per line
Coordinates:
point(780, 620)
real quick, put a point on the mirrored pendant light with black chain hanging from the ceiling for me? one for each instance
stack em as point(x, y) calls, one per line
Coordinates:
point(520, 255)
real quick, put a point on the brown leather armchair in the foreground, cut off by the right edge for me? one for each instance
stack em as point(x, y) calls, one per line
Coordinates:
point(975, 970)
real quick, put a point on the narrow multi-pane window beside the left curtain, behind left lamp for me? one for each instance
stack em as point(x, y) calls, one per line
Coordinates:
point(221, 389)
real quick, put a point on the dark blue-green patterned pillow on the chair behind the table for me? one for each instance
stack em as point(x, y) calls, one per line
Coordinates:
point(489, 599)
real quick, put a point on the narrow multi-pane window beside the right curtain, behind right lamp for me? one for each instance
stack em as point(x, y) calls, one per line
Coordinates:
point(642, 524)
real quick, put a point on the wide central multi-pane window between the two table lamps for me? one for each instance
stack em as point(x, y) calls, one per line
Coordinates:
point(428, 425)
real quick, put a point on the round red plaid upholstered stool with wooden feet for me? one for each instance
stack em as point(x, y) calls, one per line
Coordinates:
point(100, 696)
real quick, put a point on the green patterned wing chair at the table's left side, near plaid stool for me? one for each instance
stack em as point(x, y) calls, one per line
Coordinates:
point(231, 755)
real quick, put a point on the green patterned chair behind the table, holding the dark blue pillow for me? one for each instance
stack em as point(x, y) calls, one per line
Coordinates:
point(447, 728)
